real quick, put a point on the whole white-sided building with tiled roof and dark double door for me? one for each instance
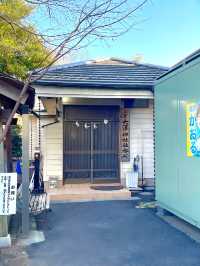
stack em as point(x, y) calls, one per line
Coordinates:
point(95, 119)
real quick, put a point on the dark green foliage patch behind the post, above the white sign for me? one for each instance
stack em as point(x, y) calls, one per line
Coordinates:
point(16, 141)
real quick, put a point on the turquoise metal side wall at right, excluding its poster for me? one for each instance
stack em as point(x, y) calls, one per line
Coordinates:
point(177, 175)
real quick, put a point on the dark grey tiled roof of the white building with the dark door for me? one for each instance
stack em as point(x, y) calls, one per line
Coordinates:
point(103, 73)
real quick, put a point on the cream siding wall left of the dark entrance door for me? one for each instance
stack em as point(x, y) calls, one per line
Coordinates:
point(51, 147)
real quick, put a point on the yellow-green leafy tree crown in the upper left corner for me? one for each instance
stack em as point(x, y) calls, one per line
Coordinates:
point(20, 51)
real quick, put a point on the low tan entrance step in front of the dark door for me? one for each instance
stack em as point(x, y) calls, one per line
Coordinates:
point(84, 192)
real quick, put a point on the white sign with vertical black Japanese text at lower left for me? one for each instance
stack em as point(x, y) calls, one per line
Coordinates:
point(8, 192)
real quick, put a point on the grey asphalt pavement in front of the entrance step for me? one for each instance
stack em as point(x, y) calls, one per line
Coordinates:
point(111, 233)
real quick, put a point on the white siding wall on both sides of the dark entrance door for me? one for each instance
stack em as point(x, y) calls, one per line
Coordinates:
point(141, 143)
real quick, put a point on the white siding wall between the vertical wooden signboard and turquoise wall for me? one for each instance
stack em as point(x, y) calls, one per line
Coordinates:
point(141, 141)
